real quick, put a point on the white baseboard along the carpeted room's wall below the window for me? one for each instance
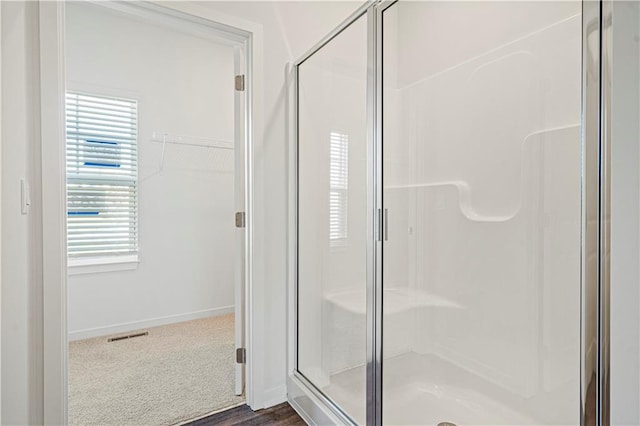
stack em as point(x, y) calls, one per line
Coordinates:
point(153, 322)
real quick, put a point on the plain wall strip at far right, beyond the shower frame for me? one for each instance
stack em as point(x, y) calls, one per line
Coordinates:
point(625, 211)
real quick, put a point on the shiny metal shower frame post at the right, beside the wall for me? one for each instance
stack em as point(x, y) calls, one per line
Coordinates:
point(596, 211)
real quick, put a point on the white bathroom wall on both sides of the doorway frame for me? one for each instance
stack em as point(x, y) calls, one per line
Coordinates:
point(289, 29)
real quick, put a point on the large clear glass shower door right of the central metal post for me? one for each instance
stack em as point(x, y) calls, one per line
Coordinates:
point(482, 181)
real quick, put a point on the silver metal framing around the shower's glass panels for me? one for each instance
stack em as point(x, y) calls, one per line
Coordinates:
point(594, 363)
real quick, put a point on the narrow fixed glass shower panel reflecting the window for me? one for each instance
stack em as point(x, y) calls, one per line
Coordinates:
point(332, 207)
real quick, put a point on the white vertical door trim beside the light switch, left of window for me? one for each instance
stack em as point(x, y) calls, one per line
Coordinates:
point(53, 211)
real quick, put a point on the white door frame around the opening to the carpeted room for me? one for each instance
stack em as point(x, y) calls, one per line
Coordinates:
point(52, 170)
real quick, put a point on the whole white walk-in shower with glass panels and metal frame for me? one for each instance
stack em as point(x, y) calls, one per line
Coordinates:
point(450, 203)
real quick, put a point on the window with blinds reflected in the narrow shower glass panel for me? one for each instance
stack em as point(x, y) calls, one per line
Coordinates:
point(339, 188)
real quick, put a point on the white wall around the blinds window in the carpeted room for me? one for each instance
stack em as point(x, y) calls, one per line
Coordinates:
point(184, 86)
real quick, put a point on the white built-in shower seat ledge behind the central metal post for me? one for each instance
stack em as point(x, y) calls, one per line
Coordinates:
point(396, 300)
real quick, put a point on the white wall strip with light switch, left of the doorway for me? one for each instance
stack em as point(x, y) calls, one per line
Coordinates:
point(21, 285)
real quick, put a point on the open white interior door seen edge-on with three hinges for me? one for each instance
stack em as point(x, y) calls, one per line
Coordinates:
point(241, 230)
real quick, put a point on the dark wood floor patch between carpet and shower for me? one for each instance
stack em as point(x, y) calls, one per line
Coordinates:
point(281, 414)
